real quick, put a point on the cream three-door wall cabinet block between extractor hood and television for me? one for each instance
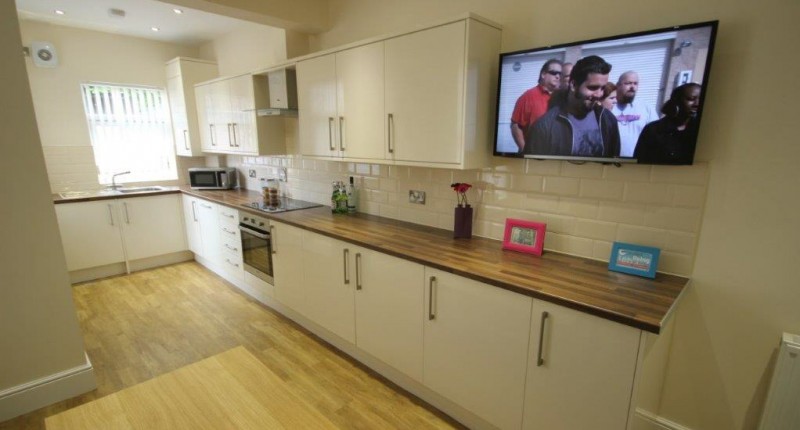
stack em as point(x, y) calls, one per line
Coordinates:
point(422, 99)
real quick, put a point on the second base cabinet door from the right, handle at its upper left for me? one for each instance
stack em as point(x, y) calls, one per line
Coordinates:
point(476, 346)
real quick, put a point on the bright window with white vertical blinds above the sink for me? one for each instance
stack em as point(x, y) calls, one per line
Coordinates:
point(130, 131)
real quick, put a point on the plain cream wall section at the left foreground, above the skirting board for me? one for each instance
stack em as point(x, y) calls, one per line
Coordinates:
point(39, 334)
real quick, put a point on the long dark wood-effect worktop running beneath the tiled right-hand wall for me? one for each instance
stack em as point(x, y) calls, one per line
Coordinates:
point(574, 282)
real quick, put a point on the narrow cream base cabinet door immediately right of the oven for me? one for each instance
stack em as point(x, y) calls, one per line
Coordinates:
point(287, 265)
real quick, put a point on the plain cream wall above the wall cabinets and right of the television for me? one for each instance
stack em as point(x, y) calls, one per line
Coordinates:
point(745, 274)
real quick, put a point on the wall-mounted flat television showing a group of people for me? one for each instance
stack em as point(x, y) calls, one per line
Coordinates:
point(635, 98)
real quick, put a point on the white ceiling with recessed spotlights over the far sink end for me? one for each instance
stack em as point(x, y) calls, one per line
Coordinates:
point(189, 28)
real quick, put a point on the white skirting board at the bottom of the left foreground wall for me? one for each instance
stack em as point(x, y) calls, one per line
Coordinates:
point(42, 392)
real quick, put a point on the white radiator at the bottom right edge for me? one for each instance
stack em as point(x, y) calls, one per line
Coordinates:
point(782, 410)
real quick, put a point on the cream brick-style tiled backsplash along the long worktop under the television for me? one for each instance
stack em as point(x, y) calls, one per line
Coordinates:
point(586, 206)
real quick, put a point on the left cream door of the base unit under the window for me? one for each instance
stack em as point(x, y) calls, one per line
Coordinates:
point(90, 233)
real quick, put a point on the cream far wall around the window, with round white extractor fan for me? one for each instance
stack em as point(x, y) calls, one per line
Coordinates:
point(84, 56)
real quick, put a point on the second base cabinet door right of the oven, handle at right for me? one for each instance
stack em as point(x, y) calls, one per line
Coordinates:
point(329, 286)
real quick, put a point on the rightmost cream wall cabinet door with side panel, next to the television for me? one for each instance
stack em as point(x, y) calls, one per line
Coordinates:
point(440, 89)
